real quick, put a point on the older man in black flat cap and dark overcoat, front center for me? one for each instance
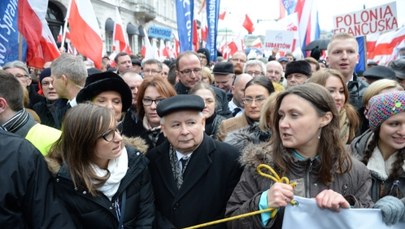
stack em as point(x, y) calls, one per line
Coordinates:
point(192, 175)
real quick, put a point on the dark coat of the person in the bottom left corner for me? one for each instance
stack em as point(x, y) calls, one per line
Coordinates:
point(27, 197)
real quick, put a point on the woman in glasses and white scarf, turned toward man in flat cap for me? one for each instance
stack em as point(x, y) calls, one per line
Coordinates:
point(103, 183)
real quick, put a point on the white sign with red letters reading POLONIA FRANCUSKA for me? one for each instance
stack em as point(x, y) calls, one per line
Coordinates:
point(368, 21)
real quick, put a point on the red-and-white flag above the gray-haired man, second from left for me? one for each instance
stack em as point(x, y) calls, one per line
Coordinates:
point(84, 30)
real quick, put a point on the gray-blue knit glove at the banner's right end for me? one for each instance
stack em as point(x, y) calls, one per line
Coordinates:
point(392, 209)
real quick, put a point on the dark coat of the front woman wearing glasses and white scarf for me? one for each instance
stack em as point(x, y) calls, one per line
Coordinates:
point(98, 211)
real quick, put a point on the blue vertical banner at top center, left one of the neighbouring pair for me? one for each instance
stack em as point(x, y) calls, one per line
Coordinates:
point(185, 16)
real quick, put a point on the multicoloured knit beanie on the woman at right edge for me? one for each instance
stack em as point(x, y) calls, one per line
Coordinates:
point(383, 106)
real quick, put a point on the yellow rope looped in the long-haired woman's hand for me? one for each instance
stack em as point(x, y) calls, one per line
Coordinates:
point(272, 175)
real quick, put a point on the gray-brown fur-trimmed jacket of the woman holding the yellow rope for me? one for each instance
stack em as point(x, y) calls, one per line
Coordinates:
point(353, 185)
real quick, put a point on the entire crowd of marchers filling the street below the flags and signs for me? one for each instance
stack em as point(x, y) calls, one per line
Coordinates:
point(177, 143)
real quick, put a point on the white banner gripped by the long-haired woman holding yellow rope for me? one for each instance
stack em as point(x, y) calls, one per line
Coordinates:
point(308, 215)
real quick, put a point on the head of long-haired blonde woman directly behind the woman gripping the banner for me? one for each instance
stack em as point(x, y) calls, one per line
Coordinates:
point(348, 118)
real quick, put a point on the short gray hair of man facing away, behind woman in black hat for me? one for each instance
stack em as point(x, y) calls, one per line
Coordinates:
point(72, 67)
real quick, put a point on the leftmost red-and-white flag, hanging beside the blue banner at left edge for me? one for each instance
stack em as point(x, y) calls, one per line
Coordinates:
point(33, 26)
